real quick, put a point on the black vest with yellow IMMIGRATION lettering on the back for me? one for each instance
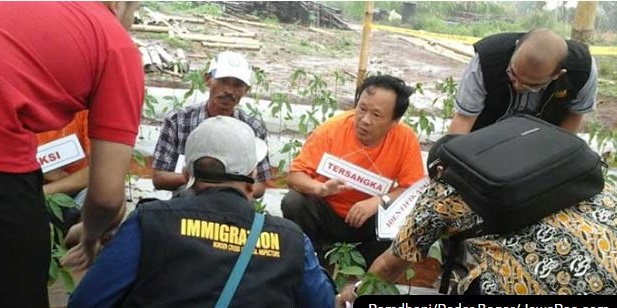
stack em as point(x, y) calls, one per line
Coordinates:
point(190, 245)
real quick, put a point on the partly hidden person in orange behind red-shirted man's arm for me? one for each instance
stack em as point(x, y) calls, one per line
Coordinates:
point(71, 179)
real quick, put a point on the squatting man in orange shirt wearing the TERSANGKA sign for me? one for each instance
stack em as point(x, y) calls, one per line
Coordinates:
point(369, 140)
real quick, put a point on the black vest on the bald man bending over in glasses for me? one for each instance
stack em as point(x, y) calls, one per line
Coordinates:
point(495, 52)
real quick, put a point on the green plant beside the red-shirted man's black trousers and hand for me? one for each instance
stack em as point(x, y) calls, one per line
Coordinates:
point(55, 203)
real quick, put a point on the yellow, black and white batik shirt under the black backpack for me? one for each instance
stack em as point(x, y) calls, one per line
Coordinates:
point(573, 251)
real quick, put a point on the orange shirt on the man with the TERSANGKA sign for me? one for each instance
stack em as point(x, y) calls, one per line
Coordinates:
point(397, 157)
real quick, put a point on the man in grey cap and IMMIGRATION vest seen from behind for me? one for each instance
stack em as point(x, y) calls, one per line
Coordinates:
point(180, 253)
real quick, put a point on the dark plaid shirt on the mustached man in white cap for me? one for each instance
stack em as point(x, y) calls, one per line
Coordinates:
point(180, 124)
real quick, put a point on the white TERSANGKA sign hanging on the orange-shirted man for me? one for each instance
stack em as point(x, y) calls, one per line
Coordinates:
point(359, 178)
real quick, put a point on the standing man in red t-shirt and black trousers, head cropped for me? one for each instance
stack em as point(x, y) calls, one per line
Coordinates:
point(59, 58)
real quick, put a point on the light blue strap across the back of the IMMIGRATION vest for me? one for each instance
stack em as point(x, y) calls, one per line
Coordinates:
point(245, 256)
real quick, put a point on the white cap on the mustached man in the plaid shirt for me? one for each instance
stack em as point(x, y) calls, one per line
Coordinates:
point(230, 64)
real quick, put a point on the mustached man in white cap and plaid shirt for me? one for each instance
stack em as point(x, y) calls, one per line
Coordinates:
point(229, 79)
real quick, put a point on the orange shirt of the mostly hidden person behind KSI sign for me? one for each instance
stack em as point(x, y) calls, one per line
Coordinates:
point(79, 127)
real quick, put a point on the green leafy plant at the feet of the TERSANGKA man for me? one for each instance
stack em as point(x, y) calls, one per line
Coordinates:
point(347, 262)
